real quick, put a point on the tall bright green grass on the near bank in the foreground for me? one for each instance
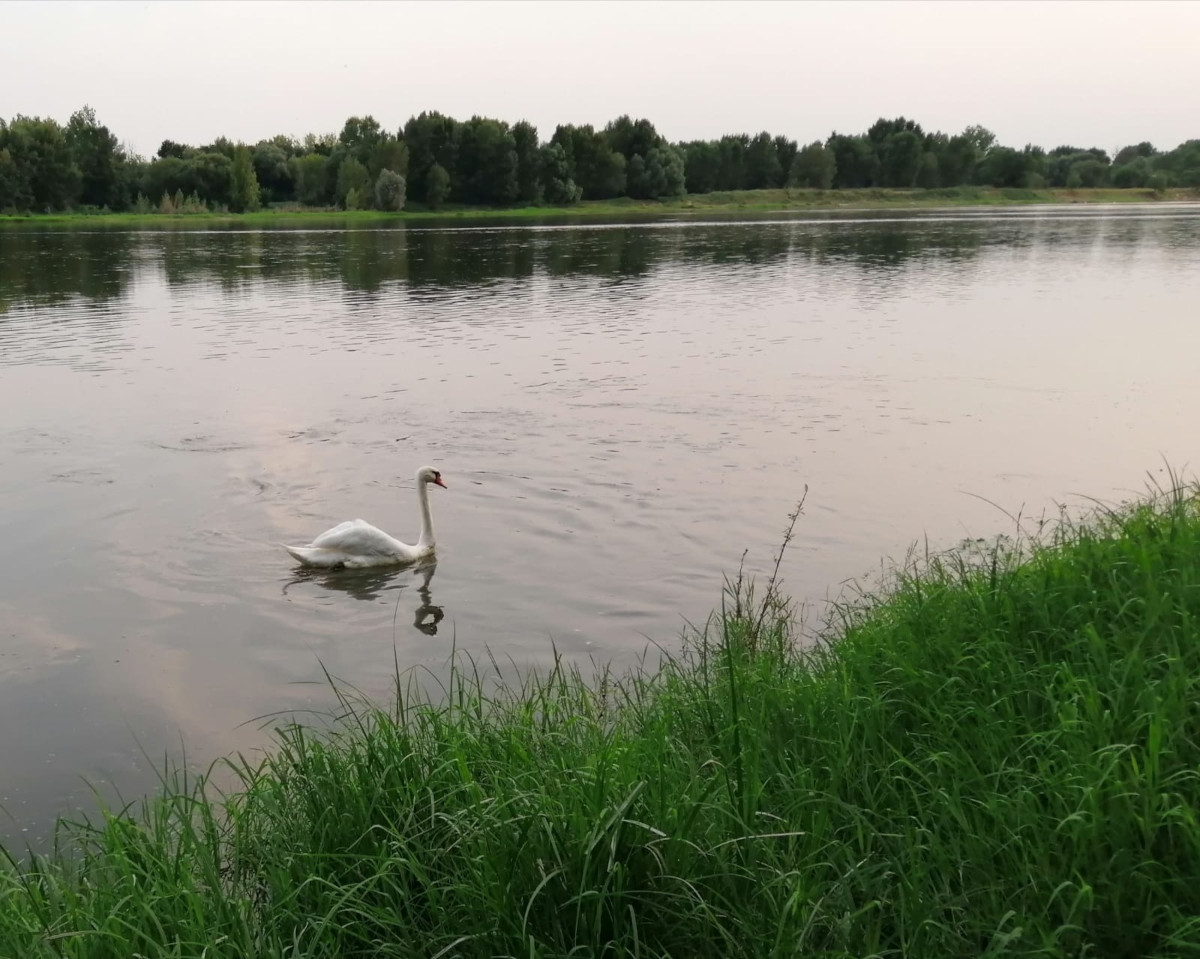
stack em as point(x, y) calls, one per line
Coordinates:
point(995, 757)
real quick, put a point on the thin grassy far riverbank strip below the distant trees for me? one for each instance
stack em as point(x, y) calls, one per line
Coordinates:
point(740, 202)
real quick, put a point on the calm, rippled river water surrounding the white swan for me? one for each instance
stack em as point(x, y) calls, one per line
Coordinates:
point(620, 412)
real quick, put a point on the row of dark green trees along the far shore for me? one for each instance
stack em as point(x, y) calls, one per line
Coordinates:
point(435, 160)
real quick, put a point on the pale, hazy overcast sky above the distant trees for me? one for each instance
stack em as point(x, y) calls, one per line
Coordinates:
point(1083, 74)
